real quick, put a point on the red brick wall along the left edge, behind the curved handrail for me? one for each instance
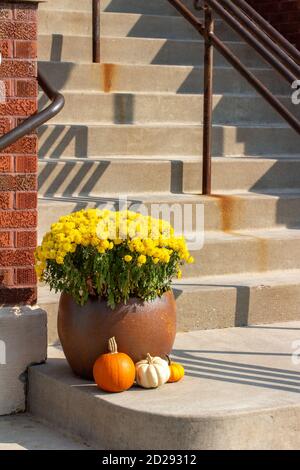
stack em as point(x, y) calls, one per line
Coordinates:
point(18, 163)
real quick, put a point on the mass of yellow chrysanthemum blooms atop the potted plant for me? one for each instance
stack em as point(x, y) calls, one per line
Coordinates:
point(106, 230)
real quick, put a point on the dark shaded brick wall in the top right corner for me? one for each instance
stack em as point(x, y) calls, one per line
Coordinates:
point(284, 15)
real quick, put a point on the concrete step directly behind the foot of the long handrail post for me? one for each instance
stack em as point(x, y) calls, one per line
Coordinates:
point(108, 177)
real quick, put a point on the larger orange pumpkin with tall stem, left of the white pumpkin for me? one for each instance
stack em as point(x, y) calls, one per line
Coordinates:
point(114, 371)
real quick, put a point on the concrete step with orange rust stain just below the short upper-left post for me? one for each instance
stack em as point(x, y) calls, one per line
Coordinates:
point(153, 78)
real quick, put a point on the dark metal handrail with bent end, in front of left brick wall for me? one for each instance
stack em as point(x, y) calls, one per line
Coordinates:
point(36, 120)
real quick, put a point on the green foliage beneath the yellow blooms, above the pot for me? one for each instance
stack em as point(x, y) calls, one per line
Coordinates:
point(88, 272)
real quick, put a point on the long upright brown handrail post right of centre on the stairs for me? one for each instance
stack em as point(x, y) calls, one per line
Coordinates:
point(208, 101)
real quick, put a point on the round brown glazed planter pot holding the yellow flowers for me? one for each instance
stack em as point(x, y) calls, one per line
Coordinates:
point(139, 327)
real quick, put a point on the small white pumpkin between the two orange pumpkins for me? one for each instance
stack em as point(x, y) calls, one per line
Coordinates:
point(152, 372)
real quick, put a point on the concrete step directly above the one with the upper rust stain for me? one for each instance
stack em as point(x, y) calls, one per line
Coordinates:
point(137, 51)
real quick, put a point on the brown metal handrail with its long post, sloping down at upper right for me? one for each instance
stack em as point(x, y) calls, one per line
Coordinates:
point(267, 42)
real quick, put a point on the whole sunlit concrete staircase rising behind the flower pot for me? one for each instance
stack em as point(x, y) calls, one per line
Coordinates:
point(132, 125)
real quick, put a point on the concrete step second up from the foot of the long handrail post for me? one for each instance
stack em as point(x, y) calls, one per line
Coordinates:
point(82, 140)
